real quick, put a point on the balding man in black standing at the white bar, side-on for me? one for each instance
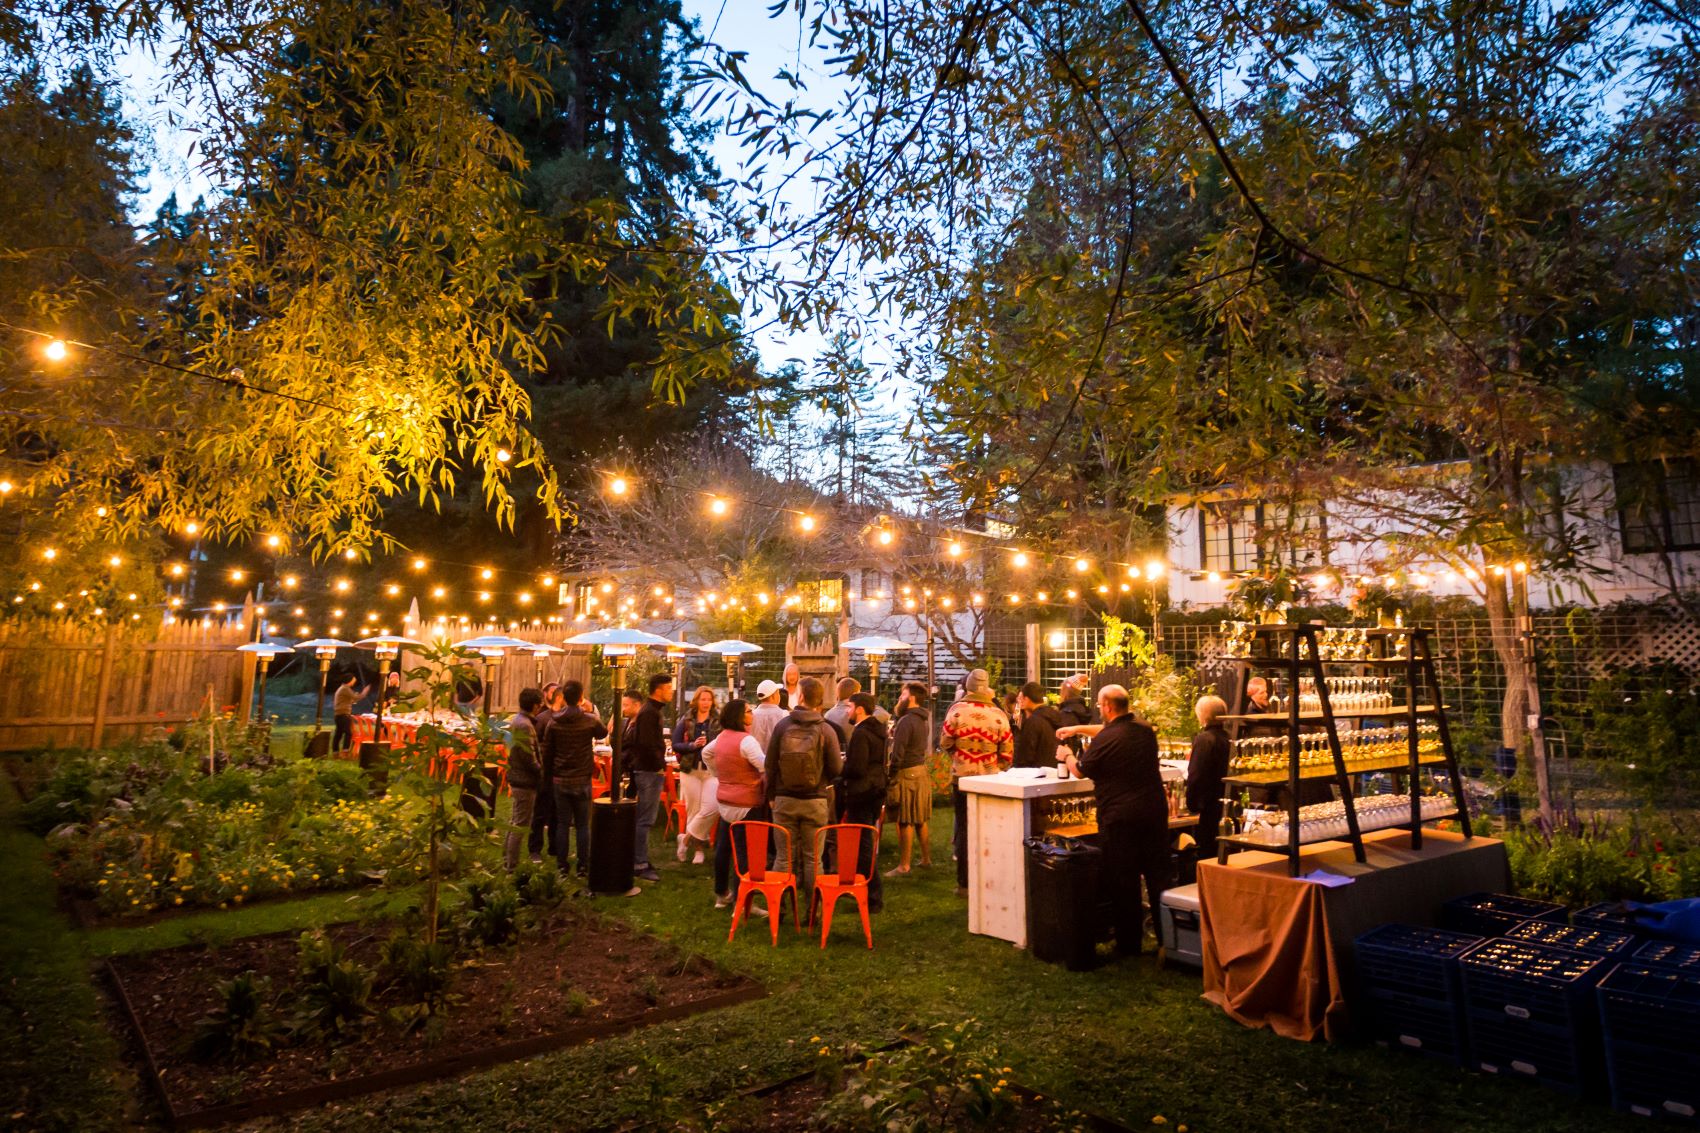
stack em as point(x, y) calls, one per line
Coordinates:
point(1133, 816)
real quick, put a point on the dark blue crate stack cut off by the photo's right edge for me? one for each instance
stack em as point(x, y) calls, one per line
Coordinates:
point(1652, 1016)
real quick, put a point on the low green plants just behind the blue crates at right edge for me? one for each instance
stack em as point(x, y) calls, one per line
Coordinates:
point(1587, 863)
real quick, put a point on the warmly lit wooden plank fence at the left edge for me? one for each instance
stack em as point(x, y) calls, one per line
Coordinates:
point(67, 683)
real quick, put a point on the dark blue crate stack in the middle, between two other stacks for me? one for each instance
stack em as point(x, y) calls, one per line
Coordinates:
point(1531, 1011)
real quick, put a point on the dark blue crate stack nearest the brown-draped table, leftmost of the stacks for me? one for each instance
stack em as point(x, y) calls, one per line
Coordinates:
point(1412, 988)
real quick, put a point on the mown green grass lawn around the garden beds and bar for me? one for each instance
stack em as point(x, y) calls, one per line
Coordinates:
point(1130, 1042)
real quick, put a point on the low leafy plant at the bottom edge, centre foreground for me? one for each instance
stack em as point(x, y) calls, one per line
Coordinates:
point(948, 1081)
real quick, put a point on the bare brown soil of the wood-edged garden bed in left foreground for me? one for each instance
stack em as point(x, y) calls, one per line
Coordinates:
point(570, 979)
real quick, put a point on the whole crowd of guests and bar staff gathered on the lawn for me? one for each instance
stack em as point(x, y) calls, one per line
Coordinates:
point(785, 758)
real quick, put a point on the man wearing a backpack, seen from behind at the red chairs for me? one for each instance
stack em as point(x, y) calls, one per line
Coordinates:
point(803, 760)
